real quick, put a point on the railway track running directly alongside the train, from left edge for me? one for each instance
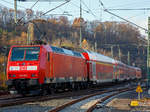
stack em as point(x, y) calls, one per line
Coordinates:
point(11, 100)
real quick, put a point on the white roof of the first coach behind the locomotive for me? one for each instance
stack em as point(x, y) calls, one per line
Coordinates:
point(100, 57)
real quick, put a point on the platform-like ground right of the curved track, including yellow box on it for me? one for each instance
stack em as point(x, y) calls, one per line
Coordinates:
point(128, 102)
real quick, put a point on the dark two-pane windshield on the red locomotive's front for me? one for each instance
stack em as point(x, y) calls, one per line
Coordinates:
point(25, 53)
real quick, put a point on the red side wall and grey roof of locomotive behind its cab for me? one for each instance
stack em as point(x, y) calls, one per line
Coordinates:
point(66, 64)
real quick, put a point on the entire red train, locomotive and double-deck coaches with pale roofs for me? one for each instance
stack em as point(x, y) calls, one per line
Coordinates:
point(44, 67)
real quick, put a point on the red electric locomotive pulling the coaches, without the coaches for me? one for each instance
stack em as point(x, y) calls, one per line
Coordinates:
point(44, 67)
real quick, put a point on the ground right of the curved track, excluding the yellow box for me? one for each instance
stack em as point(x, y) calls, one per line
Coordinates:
point(121, 103)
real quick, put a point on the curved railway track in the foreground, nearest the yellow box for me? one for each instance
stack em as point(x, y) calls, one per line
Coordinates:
point(92, 101)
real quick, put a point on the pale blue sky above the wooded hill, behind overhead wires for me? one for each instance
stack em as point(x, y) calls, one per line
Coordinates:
point(92, 9)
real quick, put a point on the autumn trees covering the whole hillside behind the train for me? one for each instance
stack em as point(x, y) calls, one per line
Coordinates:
point(119, 40)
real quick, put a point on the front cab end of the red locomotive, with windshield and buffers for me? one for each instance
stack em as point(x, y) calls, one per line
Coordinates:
point(24, 67)
